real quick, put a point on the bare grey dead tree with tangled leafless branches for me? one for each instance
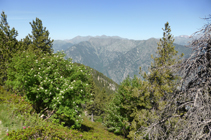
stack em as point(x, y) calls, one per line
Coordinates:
point(187, 114)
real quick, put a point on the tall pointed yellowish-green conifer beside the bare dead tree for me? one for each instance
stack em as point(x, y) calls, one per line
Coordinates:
point(163, 80)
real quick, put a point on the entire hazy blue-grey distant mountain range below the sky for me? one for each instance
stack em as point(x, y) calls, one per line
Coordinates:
point(114, 56)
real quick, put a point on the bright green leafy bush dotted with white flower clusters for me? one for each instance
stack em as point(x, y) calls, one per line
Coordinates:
point(50, 81)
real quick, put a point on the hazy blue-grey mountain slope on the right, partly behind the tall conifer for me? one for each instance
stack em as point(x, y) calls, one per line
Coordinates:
point(129, 63)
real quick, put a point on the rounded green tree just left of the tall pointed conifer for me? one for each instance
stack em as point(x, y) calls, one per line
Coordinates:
point(131, 100)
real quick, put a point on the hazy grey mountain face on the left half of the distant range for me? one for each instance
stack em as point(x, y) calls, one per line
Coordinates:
point(99, 52)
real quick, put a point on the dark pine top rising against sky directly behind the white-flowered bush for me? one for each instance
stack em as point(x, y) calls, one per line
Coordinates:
point(40, 37)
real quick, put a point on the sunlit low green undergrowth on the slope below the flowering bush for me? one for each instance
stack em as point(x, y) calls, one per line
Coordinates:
point(21, 122)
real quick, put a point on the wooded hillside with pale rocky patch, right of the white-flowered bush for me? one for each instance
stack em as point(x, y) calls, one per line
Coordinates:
point(101, 90)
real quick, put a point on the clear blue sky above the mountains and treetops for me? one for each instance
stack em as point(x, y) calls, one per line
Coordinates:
point(132, 19)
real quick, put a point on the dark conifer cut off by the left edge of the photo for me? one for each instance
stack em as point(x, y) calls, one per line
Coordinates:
point(8, 46)
